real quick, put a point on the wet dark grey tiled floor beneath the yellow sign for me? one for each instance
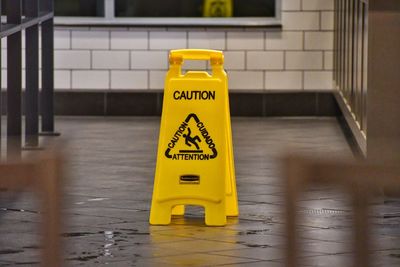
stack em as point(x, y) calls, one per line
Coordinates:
point(111, 168)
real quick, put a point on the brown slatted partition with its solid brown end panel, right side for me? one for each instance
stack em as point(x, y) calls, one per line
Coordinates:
point(366, 63)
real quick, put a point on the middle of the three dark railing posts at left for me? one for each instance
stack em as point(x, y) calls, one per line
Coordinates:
point(32, 77)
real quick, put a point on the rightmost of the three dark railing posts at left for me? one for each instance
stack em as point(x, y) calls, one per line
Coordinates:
point(47, 94)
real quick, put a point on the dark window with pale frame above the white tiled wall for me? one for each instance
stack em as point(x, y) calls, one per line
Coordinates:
point(169, 12)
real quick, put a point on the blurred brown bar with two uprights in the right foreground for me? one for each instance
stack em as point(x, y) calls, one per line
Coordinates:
point(360, 180)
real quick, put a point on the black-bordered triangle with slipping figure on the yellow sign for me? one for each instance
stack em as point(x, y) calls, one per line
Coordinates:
point(195, 139)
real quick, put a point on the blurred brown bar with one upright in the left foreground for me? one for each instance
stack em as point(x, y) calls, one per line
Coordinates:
point(42, 174)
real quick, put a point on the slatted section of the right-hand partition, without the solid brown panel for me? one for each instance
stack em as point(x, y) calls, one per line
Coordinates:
point(350, 61)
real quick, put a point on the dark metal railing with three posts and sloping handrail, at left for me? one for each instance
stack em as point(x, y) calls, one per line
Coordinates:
point(28, 15)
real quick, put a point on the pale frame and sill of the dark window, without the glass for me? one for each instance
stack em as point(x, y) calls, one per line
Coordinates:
point(110, 19)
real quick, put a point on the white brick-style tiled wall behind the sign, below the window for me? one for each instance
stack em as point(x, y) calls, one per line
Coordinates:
point(296, 57)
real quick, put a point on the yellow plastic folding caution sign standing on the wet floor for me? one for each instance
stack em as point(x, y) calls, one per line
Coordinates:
point(195, 164)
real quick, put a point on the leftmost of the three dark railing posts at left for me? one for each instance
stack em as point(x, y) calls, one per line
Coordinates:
point(14, 80)
